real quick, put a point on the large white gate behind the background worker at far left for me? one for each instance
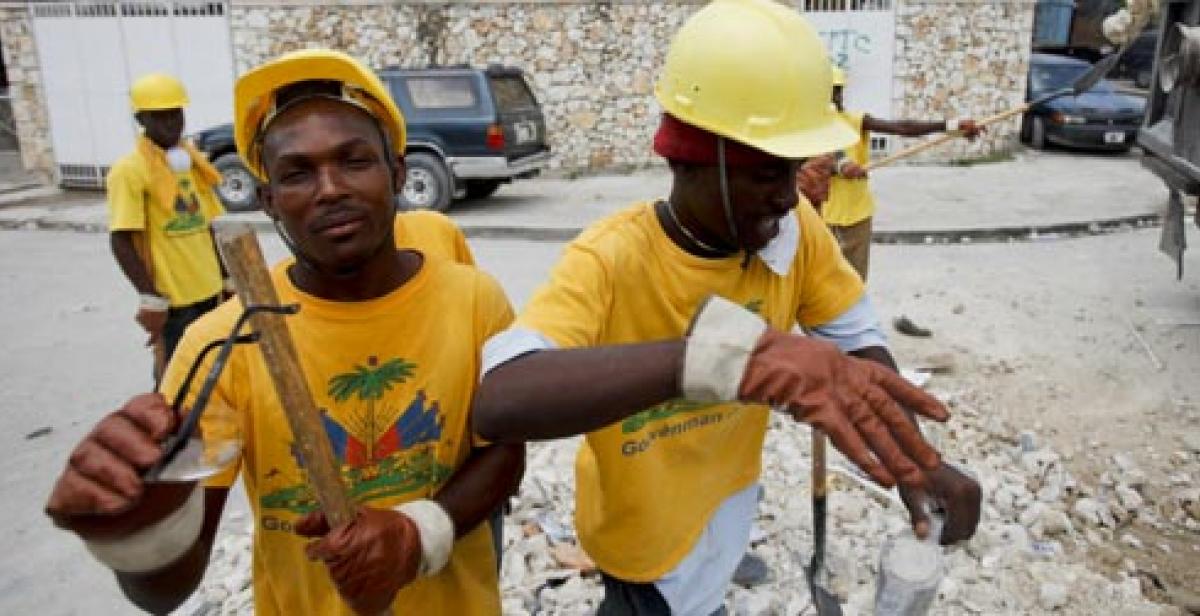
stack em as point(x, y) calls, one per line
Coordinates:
point(92, 52)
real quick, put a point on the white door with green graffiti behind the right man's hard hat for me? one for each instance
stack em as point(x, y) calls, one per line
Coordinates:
point(861, 38)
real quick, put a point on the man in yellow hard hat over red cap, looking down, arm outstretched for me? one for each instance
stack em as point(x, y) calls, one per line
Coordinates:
point(662, 334)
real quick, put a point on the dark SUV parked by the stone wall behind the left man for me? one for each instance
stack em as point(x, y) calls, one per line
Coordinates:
point(470, 130)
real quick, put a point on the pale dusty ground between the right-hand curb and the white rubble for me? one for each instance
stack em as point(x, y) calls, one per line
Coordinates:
point(1091, 345)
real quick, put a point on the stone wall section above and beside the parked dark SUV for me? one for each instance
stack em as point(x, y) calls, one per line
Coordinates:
point(592, 65)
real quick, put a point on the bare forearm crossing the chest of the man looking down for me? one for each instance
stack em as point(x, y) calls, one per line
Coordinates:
point(557, 393)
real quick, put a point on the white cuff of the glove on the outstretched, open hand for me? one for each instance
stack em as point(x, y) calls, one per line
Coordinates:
point(722, 338)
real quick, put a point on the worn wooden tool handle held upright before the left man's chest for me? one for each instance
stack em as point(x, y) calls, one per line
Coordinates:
point(244, 259)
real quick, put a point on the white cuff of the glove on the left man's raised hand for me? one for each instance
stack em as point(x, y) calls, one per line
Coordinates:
point(157, 546)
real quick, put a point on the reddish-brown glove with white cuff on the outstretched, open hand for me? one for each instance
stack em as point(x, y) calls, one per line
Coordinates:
point(731, 355)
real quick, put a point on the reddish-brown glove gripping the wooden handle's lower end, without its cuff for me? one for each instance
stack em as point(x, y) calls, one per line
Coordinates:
point(370, 560)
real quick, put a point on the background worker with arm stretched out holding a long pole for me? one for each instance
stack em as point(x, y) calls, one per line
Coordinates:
point(850, 208)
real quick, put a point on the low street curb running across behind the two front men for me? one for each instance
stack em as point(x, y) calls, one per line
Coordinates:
point(963, 236)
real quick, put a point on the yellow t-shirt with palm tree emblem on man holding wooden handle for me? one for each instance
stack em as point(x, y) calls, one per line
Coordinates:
point(394, 382)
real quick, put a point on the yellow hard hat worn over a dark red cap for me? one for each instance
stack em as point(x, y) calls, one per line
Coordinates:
point(757, 73)
